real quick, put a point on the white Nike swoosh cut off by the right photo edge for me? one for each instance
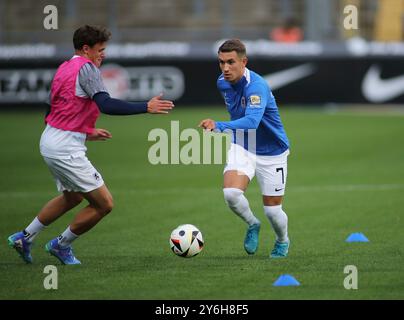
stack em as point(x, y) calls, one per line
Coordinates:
point(376, 89)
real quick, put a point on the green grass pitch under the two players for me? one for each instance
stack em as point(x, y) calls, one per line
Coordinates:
point(345, 175)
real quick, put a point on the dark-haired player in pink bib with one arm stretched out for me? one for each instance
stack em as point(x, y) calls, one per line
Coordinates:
point(78, 95)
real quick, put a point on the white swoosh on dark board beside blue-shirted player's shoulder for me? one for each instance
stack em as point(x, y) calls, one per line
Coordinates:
point(280, 79)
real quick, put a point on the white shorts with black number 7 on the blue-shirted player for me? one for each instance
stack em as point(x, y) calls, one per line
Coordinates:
point(271, 171)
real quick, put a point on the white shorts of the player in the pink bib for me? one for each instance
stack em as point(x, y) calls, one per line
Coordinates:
point(74, 174)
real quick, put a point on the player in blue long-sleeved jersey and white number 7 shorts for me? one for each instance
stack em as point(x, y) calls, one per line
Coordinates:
point(259, 146)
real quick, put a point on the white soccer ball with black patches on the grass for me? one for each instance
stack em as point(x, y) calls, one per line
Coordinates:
point(186, 241)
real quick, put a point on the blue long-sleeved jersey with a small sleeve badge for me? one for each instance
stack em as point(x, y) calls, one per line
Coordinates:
point(253, 109)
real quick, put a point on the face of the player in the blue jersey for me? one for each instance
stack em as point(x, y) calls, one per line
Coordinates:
point(232, 66)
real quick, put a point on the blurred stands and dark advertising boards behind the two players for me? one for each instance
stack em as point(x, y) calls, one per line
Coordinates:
point(310, 51)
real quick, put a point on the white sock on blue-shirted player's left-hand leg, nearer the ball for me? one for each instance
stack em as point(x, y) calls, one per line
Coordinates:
point(237, 202)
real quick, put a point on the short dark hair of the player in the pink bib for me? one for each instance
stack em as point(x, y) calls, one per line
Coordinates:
point(90, 35)
